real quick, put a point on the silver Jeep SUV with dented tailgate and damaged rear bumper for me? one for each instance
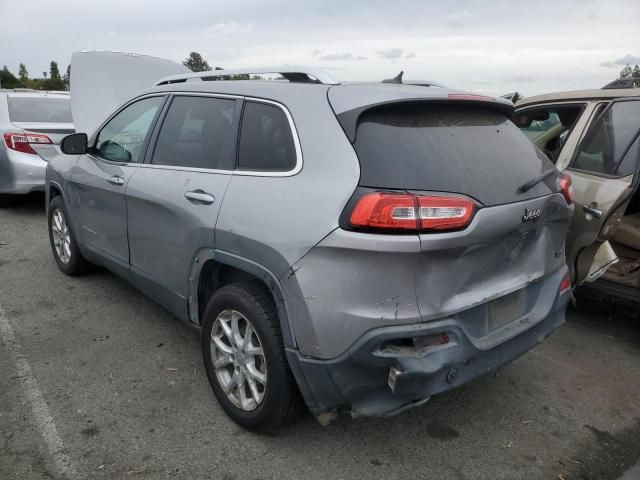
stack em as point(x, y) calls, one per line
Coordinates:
point(354, 247)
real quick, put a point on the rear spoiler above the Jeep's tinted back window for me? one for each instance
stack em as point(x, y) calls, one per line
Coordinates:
point(349, 119)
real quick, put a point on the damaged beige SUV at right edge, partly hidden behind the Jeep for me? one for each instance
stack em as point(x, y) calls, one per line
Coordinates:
point(595, 136)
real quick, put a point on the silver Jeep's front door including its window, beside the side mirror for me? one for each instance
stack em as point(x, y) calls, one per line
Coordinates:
point(99, 179)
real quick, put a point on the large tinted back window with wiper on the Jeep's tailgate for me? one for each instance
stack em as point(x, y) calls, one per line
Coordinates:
point(446, 148)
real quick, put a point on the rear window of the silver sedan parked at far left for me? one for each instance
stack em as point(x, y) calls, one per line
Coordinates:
point(39, 109)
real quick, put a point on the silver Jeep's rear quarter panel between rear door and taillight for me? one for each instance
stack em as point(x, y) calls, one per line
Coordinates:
point(275, 219)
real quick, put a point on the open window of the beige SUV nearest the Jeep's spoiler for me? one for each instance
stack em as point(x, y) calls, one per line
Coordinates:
point(548, 127)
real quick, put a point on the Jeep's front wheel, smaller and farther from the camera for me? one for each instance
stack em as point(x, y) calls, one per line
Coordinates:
point(63, 241)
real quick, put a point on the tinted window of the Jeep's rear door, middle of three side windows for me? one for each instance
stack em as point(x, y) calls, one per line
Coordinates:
point(196, 133)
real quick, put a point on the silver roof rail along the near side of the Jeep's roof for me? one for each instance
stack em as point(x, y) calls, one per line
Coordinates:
point(293, 73)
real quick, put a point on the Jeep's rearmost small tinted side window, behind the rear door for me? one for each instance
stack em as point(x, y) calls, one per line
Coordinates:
point(266, 141)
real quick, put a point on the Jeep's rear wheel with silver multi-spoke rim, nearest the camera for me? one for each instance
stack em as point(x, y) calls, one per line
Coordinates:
point(245, 360)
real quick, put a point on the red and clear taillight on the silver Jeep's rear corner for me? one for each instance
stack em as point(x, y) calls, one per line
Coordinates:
point(405, 211)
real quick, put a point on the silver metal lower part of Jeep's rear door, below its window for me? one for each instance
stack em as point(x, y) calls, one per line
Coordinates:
point(166, 230)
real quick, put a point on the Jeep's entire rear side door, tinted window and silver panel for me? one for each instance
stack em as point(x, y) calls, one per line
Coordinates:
point(174, 199)
